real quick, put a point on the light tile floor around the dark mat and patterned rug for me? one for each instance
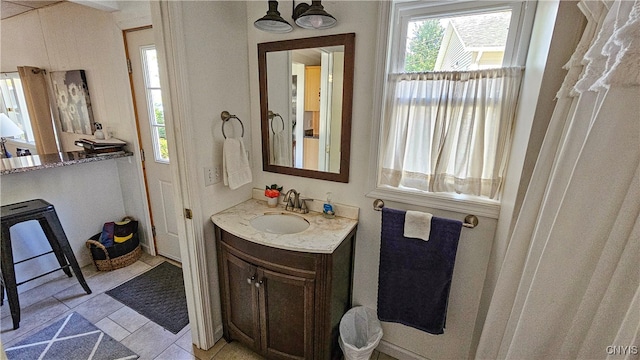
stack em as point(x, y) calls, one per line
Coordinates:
point(47, 303)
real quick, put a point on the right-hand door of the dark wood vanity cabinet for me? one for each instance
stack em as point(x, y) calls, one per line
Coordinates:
point(287, 315)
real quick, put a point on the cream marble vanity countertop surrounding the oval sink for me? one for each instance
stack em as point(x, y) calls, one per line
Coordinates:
point(322, 236)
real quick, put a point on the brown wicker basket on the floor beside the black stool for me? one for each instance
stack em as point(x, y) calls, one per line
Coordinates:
point(116, 256)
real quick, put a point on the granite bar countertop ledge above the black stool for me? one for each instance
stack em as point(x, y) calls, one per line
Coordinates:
point(21, 164)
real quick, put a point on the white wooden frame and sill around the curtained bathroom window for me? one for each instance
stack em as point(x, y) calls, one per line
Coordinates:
point(393, 24)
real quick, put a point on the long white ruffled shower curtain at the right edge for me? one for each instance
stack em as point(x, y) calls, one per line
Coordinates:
point(569, 286)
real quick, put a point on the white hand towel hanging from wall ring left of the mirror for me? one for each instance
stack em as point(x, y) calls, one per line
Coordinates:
point(235, 164)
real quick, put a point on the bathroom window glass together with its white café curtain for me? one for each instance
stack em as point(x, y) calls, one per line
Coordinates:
point(451, 96)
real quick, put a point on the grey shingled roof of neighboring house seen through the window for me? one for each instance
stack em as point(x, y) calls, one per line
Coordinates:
point(488, 30)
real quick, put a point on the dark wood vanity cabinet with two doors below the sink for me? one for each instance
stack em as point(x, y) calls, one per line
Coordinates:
point(284, 304)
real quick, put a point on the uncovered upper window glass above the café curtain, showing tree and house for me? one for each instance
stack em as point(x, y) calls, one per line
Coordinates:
point(468, 42)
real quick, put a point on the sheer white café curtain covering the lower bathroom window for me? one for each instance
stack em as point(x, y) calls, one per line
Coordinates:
point(449, 131)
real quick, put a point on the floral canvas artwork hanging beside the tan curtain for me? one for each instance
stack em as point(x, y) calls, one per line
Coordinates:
point(73, 102)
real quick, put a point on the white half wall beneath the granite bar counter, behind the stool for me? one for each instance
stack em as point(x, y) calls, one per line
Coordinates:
point(83, 200)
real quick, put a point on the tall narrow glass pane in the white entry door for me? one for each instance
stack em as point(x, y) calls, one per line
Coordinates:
point(154, 103)
